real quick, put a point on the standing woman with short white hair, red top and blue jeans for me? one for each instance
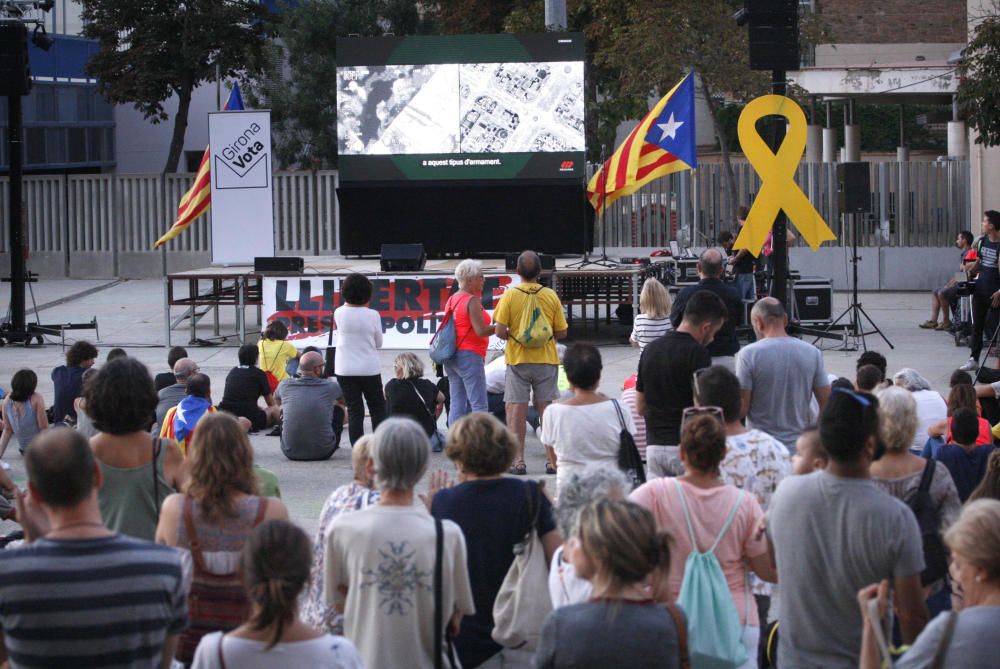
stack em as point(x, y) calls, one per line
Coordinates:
point(466, 370)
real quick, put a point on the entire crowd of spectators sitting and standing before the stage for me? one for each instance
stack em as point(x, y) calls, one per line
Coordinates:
point(784, 518)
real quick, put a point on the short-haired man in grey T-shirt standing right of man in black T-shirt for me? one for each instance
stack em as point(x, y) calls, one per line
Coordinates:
point(779, 375)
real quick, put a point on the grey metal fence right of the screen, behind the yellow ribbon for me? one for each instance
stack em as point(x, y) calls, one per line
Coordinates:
point(694, 207)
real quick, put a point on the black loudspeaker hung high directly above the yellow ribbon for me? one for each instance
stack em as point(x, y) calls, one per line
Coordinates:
point(773, 34)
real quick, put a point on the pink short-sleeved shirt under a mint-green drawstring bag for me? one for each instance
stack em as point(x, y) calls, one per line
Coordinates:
point(709, 509)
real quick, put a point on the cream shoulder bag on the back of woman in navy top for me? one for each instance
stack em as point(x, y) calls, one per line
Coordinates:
point(523, 602)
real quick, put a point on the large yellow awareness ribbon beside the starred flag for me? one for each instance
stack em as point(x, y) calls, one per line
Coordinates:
point(777, 173)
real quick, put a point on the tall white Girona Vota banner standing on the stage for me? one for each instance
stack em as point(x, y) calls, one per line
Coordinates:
point(242, 186)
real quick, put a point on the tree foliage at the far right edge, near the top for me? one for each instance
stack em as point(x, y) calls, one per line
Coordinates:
point(979, 84)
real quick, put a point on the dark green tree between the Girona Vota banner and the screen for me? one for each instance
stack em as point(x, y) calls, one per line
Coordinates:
point(298, 82)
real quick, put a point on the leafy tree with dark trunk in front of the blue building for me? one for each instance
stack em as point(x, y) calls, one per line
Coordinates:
point(151, 50)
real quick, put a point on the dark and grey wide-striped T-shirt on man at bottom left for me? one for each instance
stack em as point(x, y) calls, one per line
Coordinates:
point(105, 602)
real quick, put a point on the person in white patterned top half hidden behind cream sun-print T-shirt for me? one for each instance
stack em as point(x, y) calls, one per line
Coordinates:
point(354, 496)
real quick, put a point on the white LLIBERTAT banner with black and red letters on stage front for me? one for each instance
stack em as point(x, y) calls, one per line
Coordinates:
point(411, 306)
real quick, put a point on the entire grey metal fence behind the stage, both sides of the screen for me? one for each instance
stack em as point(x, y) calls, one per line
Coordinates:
point(100, 225)
